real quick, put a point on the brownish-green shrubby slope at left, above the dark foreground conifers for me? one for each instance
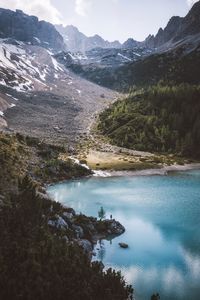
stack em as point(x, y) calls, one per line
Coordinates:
point(20, 155)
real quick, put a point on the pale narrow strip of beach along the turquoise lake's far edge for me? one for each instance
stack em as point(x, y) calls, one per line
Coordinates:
point(165, 170)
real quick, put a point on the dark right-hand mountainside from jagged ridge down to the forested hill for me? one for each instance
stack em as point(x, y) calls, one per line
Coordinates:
point(176, 60)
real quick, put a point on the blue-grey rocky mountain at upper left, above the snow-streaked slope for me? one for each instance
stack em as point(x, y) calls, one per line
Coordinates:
point(19, 26)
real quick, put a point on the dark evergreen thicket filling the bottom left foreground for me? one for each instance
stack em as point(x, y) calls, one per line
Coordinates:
point(36, 262)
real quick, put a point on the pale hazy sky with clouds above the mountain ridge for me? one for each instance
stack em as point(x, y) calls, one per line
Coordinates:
point(111, 19)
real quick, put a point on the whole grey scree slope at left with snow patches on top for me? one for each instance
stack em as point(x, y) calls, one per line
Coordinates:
point(43, 98)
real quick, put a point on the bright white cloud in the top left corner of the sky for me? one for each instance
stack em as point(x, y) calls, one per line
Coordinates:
point(43, 9)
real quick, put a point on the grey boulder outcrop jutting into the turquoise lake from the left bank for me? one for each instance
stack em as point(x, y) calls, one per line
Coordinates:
point(81, 229)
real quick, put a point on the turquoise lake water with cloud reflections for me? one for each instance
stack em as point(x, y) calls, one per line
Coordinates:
point(161, 215)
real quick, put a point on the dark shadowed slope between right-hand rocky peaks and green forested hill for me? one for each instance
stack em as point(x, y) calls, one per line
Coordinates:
point(175, 66)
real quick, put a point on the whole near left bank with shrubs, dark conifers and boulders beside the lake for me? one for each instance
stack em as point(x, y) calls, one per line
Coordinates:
point(42, 251)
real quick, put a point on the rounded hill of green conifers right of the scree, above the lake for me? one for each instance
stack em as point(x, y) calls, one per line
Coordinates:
point(163, 119)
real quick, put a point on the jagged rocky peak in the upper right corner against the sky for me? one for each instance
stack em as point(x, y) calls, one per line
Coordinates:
point(177, 29)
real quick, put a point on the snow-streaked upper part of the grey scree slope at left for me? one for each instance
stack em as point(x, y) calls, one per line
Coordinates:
point(23, 67)
